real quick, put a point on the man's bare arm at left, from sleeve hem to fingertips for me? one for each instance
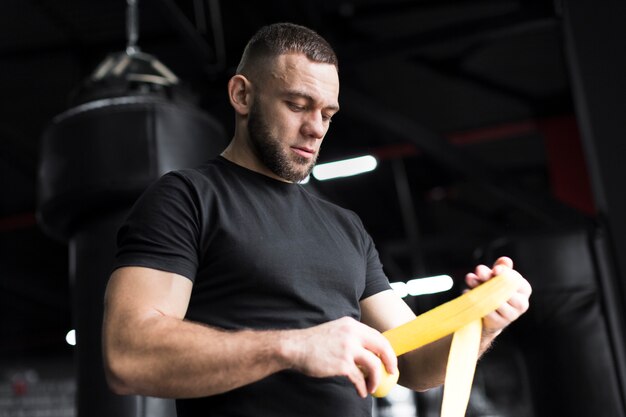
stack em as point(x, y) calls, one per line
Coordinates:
point(150, 349)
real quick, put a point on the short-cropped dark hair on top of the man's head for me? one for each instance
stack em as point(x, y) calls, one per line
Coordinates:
point(287, 38)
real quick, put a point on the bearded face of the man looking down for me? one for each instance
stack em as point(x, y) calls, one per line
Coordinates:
point(290, 115)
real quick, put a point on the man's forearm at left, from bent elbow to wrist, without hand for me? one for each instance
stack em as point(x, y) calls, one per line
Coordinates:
point(170, 358)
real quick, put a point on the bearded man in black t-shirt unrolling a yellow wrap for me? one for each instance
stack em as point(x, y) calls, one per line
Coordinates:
point(239, 293)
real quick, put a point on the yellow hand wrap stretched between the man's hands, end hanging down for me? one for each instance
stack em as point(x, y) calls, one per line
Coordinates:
point(463, 317)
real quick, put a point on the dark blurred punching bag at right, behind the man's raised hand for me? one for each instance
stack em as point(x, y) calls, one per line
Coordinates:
point(565, 348)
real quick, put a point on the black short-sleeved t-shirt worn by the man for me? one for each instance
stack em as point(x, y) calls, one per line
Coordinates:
point(263, 254)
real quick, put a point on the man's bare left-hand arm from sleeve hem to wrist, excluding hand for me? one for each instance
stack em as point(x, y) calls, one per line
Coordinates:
point(149, 349)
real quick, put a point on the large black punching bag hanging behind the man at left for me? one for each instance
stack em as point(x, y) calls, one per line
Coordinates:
point(130, 125)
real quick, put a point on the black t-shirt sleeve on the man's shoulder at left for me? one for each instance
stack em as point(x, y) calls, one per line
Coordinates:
point(162, 229)
